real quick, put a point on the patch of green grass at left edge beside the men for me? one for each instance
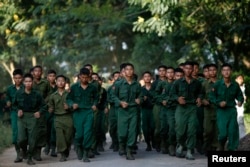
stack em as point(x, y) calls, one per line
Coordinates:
point(5, 137)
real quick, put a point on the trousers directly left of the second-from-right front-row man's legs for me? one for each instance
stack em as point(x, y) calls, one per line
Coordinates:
point(164, 127)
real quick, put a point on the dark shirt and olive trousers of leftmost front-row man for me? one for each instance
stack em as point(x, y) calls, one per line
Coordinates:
point(28, 125)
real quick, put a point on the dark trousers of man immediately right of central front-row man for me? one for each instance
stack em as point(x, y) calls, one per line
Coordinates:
point(147, 124)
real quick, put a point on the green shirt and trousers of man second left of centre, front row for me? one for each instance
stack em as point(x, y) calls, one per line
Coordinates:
point(83, 116)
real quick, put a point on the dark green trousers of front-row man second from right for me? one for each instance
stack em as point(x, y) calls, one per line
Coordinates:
point(186, 124)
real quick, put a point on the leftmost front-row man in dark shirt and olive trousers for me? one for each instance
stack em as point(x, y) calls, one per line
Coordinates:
point(30, 106)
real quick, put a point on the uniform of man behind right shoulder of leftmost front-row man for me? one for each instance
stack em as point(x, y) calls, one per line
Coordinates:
point(44, 88)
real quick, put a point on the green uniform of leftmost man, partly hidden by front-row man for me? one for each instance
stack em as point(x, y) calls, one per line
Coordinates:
point(10, 96)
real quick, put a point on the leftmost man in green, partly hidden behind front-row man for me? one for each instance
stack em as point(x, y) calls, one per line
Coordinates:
point(10, 96)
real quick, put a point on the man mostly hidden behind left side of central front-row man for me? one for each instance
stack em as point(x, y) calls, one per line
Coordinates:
point(113, 115)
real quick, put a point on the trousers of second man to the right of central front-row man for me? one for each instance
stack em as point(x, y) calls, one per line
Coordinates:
point(156, 114)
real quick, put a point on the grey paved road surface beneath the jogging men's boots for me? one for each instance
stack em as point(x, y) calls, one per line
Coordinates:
point(109, 159)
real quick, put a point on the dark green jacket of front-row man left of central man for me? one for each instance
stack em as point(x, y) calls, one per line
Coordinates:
point(84, 98)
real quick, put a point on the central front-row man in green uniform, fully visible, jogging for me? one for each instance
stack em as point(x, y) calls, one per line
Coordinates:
point(127, 98)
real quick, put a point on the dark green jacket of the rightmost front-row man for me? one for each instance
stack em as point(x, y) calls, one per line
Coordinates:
point(220, 92)
